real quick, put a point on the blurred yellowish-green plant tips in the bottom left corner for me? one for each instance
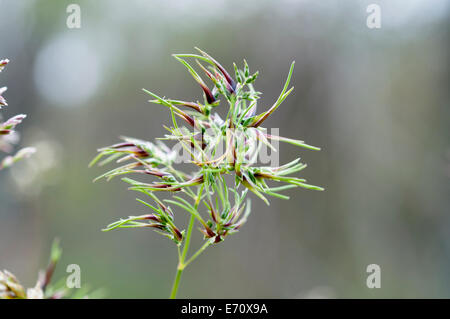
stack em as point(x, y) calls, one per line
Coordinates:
point(10, 287)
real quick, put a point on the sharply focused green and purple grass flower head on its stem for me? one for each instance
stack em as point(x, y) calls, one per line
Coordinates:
point(219, 208)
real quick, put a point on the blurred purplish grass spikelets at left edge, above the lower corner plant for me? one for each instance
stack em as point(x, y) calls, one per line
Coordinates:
point(8, 135)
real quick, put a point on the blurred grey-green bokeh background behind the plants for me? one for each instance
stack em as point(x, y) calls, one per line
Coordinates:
point(375, 100)
